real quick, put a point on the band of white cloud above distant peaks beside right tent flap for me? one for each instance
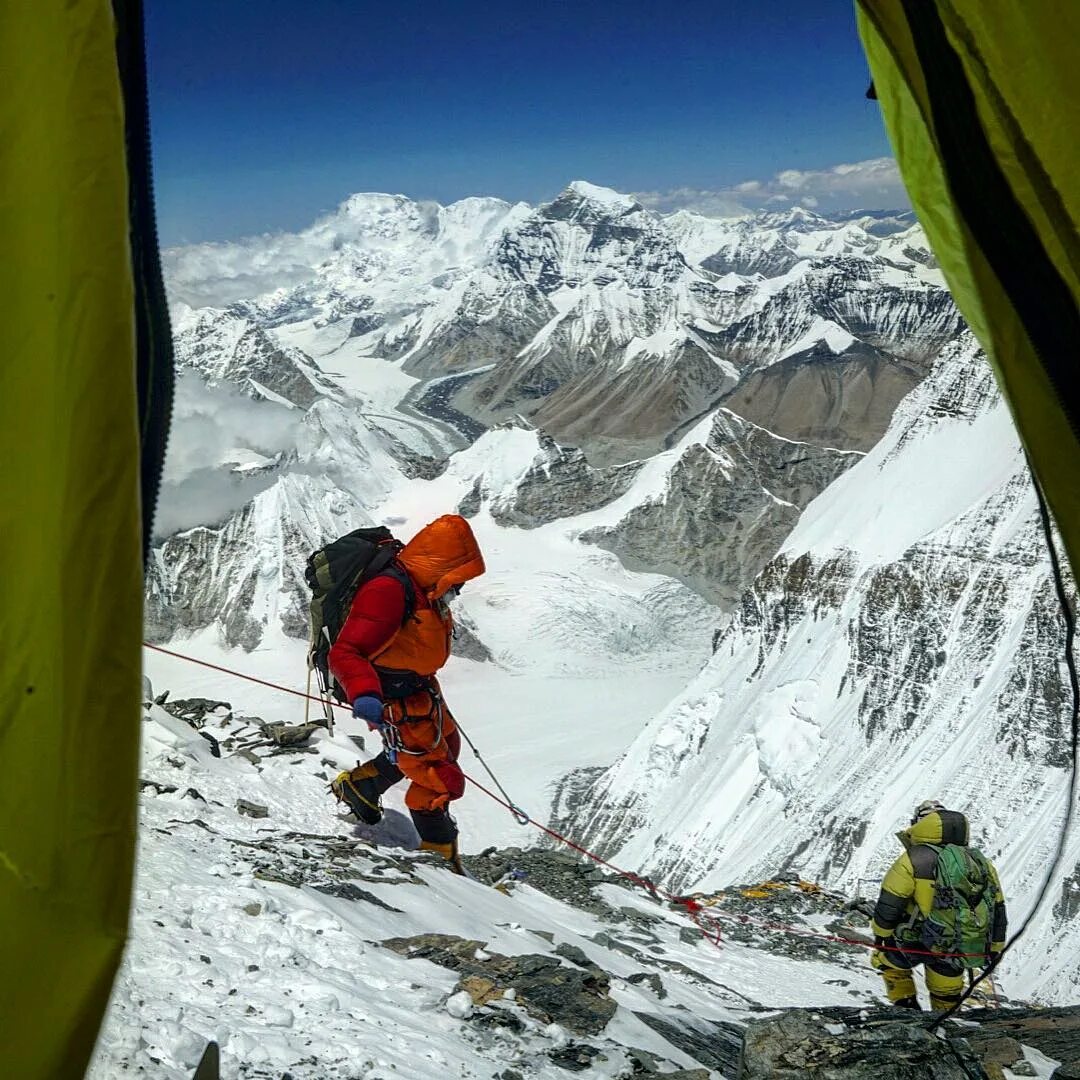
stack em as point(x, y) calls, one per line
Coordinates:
point(873, 185)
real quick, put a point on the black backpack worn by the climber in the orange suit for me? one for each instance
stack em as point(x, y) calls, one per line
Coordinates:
point(334, 574)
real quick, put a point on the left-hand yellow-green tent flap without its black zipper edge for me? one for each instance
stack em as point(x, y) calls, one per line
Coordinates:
point(71, 603)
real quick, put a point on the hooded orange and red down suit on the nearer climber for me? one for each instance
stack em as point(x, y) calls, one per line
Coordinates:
point(376, 654)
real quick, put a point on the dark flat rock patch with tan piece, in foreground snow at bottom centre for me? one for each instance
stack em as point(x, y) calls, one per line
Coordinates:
point(548, 990)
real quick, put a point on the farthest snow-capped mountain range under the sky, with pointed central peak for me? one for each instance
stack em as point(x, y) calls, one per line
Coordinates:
point(605, 325)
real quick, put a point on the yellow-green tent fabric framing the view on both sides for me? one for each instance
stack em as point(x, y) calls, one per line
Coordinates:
point(982, 105)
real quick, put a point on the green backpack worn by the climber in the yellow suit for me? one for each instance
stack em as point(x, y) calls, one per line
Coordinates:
point(961, 922)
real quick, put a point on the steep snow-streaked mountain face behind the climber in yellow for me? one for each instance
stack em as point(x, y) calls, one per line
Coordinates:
point(904, 644)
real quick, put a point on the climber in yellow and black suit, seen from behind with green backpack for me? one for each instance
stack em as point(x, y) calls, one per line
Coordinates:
point(941, 896)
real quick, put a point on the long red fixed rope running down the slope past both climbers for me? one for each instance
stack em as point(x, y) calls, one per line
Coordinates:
point(707, 921)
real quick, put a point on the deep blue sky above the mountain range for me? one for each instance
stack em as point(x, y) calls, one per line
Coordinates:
point(267, 114)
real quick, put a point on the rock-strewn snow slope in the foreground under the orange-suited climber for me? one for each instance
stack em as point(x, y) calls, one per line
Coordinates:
point(265, 936)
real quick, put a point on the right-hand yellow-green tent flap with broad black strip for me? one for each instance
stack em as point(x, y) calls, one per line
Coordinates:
point(982, 103)
